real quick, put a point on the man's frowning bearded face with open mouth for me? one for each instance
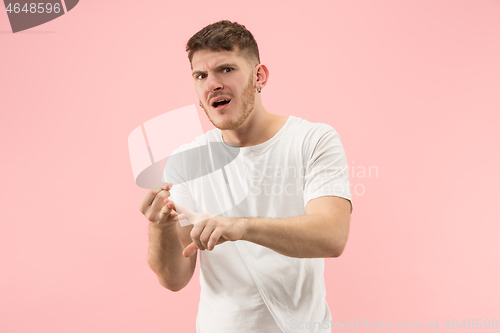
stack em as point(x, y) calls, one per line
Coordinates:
point(224, 84)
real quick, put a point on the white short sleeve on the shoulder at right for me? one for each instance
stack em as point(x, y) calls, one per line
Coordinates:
point(326, 171)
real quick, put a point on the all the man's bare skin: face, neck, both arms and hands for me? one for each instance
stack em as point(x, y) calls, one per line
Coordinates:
point(321, 232)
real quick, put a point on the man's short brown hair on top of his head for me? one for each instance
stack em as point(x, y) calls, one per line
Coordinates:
point(224, 35)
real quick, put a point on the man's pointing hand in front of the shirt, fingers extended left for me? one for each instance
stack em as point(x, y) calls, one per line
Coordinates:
point(210, 230)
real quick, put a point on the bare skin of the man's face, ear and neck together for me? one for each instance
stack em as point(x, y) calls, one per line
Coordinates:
point(244, 122)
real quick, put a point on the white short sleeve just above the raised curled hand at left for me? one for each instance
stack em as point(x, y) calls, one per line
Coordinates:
point(175, 173)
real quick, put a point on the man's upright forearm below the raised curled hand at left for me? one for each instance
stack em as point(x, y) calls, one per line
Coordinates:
point(165, 258)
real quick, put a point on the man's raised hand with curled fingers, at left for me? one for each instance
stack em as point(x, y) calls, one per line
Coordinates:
point(158, 209)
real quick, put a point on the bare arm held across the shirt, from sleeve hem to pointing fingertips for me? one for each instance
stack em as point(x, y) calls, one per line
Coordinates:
point(321, 233)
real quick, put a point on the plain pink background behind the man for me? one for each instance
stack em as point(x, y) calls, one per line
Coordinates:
point(411, 86)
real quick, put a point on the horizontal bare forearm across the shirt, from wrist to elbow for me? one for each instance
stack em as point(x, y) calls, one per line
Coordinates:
point(306, 236)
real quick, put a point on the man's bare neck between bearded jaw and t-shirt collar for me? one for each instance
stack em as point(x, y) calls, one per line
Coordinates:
point(259, 127)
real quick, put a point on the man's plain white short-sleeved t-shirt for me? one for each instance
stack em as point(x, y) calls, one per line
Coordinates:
point(246, 287)
